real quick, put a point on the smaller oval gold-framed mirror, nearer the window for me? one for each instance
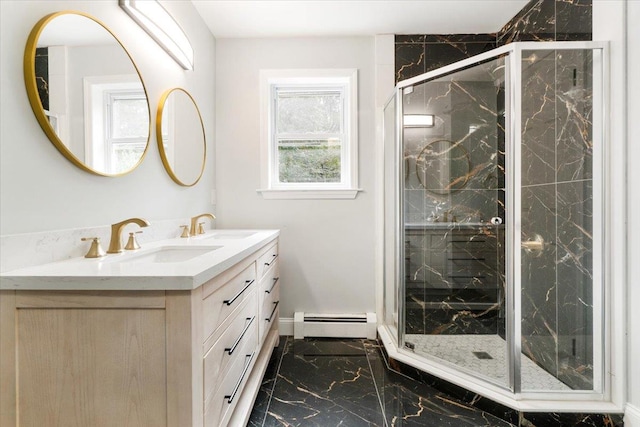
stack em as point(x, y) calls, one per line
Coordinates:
point(180, 136)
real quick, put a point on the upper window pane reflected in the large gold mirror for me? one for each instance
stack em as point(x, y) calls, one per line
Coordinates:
point(130, 118)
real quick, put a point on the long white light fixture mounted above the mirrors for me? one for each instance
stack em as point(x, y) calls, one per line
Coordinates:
point(161, 26)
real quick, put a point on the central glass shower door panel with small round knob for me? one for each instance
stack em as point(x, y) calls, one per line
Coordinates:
point(454, 280)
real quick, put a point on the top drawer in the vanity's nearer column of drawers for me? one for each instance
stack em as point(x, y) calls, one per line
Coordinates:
point(221, 303)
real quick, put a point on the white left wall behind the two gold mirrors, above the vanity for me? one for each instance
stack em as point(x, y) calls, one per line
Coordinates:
point(39, 189)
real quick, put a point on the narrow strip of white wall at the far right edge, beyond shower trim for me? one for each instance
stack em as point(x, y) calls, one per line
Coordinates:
point(632, 417)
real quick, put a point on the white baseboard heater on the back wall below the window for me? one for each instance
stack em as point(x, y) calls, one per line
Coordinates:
point(358, 325)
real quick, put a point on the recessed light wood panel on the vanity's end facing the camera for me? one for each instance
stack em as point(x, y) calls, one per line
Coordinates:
point(91, 367)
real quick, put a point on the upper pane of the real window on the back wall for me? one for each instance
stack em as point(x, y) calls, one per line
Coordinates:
point(309, 112)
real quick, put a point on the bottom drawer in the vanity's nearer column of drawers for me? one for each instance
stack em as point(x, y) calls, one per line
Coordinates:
point(220, 407)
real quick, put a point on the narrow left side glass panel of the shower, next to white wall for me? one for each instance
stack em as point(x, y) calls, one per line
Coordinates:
point(390, 217)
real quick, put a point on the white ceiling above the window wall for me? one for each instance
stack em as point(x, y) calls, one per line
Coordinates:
point(312, 18)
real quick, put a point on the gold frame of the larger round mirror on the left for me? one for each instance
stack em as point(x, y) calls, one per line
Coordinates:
point(36, 103)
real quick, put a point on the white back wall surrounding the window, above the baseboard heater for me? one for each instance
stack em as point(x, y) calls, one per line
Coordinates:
point(327, 246)
